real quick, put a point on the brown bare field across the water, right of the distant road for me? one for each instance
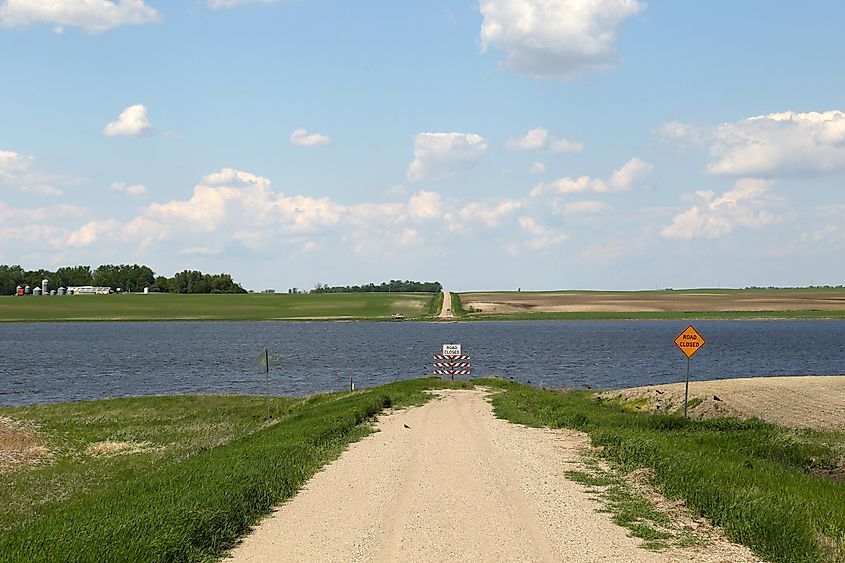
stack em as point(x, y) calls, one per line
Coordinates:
point(656, 301)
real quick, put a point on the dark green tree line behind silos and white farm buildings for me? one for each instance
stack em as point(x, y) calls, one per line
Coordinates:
point(127, 277)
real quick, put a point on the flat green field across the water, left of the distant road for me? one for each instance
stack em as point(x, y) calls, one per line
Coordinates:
point(222, 307)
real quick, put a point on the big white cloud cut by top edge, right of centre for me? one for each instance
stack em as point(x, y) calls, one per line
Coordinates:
point(555, 38)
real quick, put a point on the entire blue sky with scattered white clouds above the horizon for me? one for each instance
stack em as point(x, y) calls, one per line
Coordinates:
point(541, 144)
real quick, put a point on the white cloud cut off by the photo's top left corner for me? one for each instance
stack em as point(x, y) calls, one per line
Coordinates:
point(94, 16)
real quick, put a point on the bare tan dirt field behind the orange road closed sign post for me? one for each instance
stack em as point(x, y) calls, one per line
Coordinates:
point(798, 402)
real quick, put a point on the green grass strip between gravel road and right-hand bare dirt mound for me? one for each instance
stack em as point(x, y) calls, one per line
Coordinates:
point(766, 486)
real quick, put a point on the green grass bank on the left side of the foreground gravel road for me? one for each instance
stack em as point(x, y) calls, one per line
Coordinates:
point(210, 469)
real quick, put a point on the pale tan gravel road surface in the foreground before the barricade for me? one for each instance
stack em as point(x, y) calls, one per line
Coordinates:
point(449, 482)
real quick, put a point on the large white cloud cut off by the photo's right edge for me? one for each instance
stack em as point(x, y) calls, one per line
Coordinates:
point(777, 144)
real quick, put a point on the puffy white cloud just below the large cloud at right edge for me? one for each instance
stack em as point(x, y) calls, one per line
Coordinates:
point(746, 205)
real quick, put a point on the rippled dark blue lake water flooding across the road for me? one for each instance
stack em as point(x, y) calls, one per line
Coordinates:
point(51, 362)
